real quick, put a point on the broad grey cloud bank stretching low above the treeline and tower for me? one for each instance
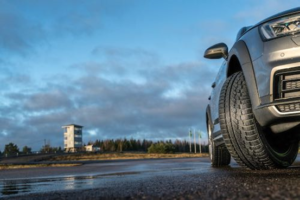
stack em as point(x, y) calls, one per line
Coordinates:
point(115, 108)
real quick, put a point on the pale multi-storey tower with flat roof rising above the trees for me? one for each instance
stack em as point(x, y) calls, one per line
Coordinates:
point(72, 137)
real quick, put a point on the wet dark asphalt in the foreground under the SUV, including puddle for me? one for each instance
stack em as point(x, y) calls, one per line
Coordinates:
point(191, 178)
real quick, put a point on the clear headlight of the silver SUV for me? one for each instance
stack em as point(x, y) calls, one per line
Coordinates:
point(281, 27)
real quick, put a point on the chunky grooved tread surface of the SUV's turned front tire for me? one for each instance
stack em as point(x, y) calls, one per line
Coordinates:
point(238, 125)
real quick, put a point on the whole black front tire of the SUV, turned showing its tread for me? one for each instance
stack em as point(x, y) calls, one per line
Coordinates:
point(247, 142)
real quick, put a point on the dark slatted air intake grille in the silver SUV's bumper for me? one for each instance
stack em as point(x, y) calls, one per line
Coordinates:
point(287, 84)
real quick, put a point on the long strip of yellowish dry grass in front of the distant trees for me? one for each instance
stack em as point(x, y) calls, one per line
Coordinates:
point(119, 156)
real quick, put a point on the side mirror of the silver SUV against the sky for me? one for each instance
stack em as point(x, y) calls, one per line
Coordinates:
point(217, 51)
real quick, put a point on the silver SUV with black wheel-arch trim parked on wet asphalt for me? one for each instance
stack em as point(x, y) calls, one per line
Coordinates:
point(254, 109)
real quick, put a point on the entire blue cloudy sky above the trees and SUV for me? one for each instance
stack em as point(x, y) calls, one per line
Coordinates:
point(120, 68)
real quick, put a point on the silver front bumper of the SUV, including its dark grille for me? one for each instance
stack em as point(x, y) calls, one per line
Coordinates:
point(277, 73)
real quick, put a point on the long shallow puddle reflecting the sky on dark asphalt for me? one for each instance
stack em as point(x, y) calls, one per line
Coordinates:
point(18, 187)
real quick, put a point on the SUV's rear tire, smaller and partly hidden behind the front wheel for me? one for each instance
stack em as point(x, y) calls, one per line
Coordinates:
point(219, 155)
